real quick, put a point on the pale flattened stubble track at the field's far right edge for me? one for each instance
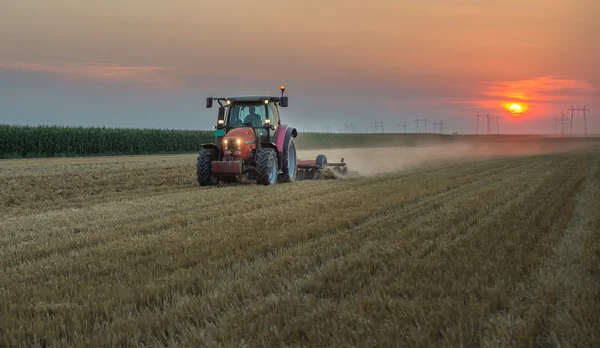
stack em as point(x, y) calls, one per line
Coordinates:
point(561, 284)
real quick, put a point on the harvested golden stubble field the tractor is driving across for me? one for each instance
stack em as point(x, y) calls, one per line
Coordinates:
point(455, 245)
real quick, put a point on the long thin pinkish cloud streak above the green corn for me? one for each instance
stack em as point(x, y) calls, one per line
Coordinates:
point(146, 75)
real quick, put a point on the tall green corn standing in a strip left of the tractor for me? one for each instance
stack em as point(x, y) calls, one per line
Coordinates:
point(59, 141)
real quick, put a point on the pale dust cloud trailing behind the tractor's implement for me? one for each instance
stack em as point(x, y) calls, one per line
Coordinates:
point(379, 160)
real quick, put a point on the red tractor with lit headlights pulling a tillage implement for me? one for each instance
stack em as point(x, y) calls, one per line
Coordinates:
point(251, 142)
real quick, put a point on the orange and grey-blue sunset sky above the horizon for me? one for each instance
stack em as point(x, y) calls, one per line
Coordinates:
point(134, 63)
